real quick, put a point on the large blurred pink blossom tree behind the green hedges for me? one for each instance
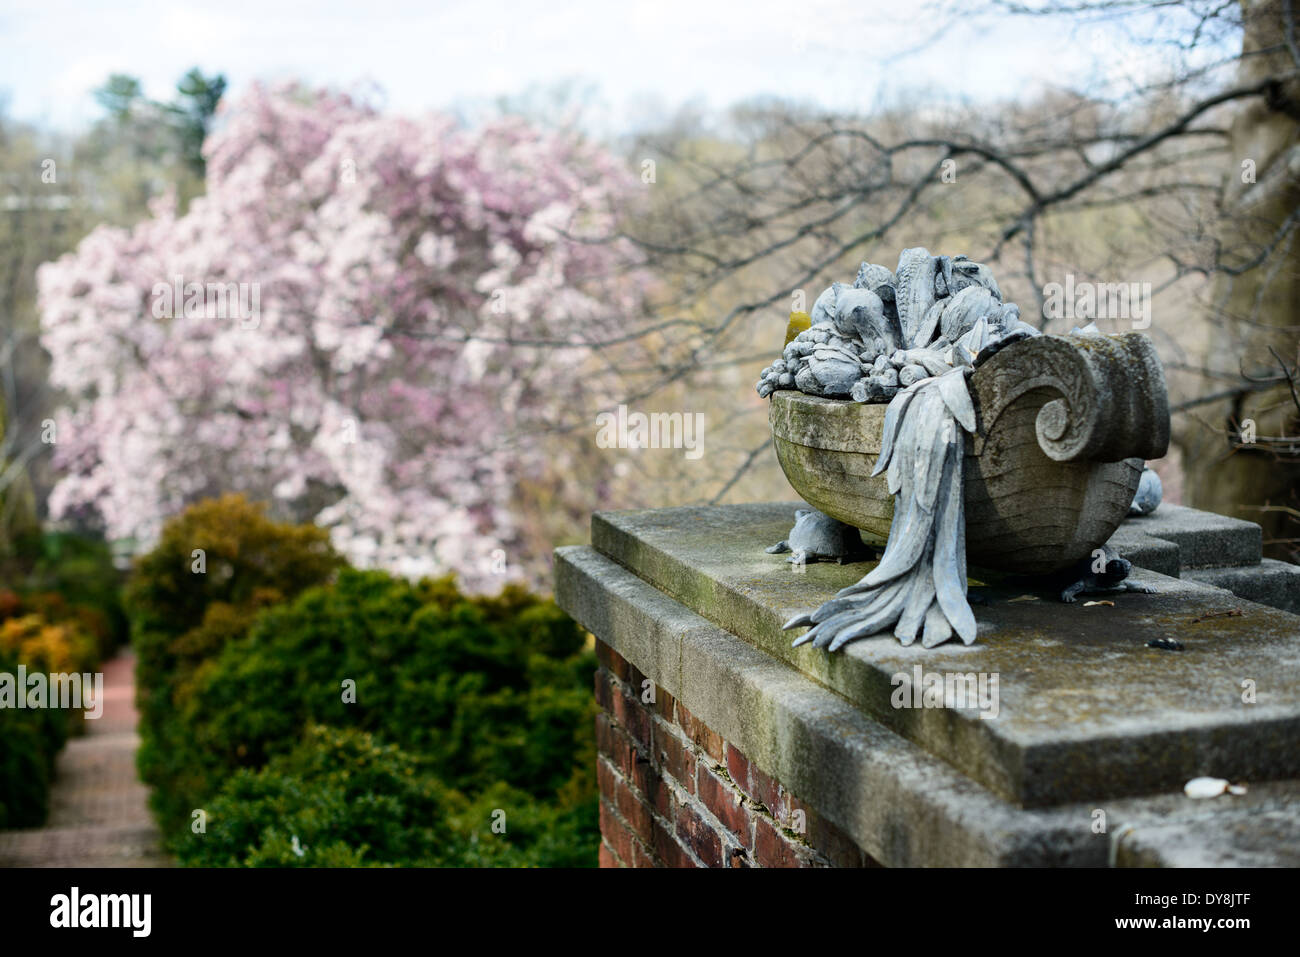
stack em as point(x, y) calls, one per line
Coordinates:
point(421, 314)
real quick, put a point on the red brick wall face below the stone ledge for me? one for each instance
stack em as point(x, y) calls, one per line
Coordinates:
point(677, 795)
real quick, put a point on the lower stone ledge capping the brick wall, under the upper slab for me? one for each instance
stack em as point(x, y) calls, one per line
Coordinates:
point(900, 804)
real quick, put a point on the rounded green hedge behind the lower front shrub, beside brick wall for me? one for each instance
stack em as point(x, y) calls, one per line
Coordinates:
point(473, 687)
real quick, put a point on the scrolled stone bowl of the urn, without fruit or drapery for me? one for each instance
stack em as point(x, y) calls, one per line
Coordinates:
point(1064, 425)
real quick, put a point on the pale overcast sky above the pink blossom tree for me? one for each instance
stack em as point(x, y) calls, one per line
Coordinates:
point(643, 58)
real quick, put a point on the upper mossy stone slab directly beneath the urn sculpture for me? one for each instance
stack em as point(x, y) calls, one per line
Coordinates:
point(1086, 709)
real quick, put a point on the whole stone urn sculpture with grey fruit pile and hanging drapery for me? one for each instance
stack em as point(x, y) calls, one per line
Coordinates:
point(918, 408)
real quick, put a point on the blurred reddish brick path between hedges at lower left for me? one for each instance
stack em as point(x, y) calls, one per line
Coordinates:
point(98, 808)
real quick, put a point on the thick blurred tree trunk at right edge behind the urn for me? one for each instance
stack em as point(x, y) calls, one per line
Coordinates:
point(1260, 308)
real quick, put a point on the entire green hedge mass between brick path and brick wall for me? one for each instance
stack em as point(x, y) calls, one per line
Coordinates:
point(460, 712)
